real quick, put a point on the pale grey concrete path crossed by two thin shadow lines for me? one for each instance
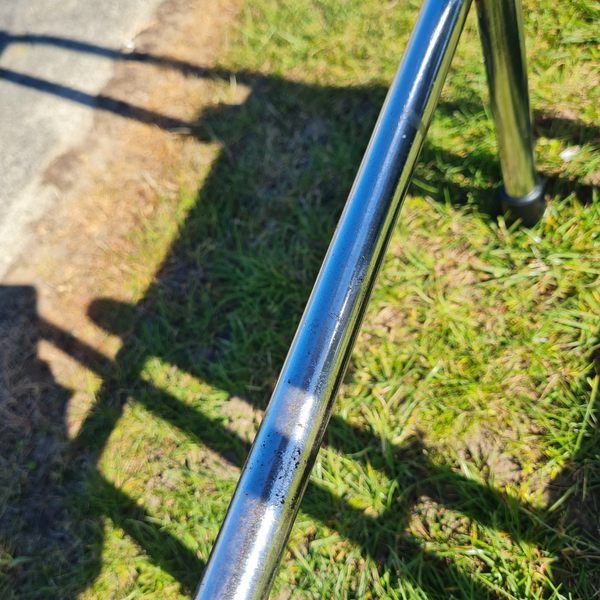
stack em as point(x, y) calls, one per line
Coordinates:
point(55, 56)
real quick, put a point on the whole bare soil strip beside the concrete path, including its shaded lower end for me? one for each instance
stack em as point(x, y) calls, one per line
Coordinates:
point(110, 187)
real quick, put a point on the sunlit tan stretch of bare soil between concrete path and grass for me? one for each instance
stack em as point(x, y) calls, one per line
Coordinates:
point(138, 150)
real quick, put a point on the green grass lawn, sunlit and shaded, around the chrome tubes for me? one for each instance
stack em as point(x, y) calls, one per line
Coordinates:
point(462, 458)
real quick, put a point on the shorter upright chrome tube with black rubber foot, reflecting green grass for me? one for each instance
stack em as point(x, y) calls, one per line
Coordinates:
point(503, 41)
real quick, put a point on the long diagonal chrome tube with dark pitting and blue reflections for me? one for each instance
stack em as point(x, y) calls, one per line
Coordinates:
point(252, 538)
